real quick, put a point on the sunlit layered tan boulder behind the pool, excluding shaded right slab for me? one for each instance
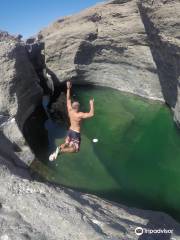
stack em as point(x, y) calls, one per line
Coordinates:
point(104, 45)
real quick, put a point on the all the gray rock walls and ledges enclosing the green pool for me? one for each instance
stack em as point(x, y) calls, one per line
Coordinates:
point(128, 45)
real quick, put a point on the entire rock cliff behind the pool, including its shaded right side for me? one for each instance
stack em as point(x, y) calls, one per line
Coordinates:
point(128, 45)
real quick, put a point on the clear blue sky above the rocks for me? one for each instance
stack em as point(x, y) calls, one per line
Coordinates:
point(27, 17)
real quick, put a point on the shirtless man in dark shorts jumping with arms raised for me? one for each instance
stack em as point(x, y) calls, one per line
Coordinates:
point(73, 139)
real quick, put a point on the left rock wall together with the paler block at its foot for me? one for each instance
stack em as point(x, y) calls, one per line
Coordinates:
point(19, 95)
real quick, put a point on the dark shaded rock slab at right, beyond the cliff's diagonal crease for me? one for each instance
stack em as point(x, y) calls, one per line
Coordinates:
point(162, 22)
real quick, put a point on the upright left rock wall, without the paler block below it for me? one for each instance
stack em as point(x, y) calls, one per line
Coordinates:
point(19, 90)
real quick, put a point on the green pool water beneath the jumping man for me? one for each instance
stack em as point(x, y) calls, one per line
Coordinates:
point(137, 158)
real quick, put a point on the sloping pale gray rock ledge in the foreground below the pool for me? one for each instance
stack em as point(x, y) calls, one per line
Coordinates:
point(38, 211)
